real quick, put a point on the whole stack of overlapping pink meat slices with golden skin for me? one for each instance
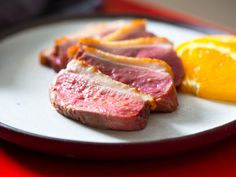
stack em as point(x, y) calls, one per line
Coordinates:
point(114, 78)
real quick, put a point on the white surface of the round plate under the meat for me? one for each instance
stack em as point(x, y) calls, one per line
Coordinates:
point(25, 105)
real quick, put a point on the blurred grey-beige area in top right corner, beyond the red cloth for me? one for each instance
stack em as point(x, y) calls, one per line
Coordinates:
point(217, 11)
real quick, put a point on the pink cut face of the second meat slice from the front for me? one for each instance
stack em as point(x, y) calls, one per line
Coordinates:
point(146, 80)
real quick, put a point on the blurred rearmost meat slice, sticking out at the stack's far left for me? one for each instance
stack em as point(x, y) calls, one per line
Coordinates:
point(56, 56)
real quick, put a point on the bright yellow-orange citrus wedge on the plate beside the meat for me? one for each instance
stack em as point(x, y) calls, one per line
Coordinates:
point(210, 67)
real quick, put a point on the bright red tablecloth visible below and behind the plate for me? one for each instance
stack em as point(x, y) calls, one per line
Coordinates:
point(217, 160)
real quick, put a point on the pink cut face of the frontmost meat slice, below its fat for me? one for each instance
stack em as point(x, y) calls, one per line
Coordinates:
point(87, 95)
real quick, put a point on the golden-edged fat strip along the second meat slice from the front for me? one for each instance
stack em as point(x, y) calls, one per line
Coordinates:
point(130, 61)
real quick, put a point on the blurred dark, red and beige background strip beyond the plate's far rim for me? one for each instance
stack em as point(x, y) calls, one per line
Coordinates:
point(19, 11)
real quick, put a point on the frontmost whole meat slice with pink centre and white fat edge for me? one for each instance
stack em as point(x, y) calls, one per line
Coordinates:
point(84, 94)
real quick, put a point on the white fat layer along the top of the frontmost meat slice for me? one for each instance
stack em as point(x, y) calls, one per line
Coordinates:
point(104, 80)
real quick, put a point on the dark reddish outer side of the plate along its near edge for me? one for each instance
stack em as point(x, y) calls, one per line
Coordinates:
point(116, 151)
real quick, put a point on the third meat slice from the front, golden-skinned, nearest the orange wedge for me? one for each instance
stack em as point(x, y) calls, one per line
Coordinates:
point(150, 47)
